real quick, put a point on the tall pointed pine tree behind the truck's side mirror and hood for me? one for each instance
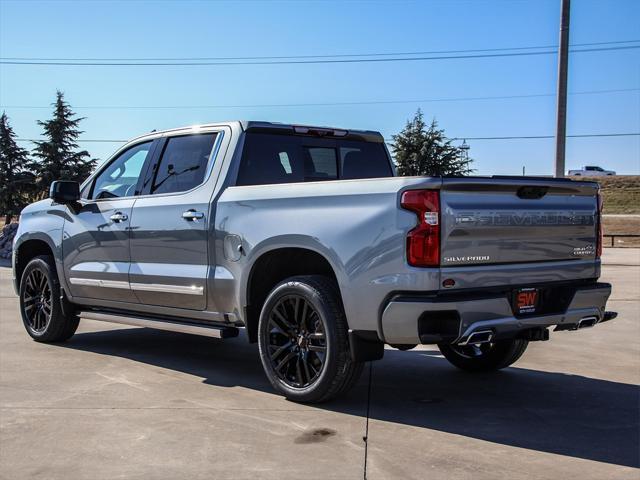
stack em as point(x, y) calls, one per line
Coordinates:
point(58, 155)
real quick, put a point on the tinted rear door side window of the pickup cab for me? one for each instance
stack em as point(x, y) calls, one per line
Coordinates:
point(183, 163)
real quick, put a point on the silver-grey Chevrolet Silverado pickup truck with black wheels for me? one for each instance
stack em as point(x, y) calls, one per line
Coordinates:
point(305, 238)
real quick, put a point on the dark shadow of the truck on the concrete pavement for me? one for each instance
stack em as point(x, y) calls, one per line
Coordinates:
point(549, 412)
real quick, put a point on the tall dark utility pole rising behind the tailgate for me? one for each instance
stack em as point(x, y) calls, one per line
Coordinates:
point(563, 67)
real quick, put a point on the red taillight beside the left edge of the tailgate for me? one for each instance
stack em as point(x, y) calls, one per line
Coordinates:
point(423, 242)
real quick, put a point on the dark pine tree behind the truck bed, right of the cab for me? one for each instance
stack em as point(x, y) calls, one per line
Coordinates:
point(422, 150)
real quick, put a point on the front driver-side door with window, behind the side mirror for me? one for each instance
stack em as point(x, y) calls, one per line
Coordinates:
point(96, 238)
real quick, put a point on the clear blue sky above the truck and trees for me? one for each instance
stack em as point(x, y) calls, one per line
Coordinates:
point(129, 29)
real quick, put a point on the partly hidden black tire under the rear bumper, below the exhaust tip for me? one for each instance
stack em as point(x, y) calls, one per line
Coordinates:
point(486, 356)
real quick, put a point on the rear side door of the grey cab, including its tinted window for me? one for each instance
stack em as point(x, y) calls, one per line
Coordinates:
point(169, 226)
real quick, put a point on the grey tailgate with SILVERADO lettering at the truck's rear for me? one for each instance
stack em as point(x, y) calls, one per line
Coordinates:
point(486, 221)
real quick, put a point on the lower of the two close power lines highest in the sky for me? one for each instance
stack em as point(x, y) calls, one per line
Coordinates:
point(300, 62)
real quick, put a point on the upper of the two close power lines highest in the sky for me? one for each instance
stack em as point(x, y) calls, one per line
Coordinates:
point(285, 57)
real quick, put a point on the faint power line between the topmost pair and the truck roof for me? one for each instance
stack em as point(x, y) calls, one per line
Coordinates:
point(324, 104)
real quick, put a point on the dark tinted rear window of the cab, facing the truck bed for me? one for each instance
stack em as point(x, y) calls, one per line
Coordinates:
point(279, 158)
